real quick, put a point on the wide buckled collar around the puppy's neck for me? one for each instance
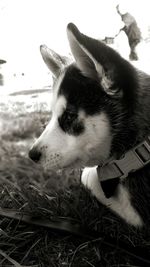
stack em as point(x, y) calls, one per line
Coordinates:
point(131, 161)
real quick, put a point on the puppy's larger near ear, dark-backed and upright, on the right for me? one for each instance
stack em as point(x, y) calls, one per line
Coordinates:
point(96, 60)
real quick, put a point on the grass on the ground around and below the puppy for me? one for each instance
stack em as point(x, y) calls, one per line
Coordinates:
point(54, 200)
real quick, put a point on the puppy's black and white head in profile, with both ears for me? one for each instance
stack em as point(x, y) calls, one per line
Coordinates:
point(91, 98)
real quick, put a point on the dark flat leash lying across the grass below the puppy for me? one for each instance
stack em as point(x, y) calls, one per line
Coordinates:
point(71, 226)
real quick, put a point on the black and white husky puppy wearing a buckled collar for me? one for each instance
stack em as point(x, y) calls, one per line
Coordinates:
point(100, 120)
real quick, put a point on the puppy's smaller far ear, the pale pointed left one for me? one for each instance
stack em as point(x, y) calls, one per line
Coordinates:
point(54, 62)
